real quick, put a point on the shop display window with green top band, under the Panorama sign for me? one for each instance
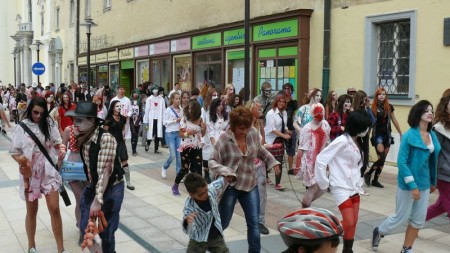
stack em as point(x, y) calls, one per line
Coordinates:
point(277, 66)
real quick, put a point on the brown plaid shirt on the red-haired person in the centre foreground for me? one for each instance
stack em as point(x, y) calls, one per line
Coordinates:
point(227, 159)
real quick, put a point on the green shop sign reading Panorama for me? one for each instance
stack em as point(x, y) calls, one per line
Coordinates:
point(277, 30)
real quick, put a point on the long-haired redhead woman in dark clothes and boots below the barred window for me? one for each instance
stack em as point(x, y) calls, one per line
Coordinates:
point(381, 134)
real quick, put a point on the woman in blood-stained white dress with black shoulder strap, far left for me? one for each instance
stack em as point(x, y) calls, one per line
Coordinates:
point(37, 176)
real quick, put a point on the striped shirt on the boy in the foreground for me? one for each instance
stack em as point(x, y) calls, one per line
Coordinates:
point(199, 229)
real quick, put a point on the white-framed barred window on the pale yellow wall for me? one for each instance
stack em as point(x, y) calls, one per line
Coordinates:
point(390, 55)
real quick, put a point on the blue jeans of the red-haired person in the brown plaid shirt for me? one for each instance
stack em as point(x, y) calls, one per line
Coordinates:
point(250, 204)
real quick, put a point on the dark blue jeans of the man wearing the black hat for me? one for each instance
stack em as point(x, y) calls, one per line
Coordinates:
point(112, 202)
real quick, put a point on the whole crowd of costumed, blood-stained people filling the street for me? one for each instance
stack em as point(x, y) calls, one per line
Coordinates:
point(224, 151)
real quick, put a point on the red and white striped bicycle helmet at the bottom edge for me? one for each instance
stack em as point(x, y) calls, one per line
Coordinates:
point(309, 226)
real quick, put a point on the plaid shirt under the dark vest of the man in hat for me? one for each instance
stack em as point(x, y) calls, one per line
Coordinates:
point(106, 154)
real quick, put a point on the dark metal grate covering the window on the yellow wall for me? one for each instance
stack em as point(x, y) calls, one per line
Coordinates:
point(393, 57)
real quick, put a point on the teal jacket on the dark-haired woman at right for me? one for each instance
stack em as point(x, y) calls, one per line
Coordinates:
point(417, 167)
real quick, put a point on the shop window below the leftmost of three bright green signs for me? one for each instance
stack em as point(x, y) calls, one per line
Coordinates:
point(208, 69)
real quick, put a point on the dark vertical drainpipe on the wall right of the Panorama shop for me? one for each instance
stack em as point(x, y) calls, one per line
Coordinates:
point(326, 49)
